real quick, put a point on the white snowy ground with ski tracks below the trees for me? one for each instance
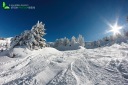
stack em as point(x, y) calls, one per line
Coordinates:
point(48, 66)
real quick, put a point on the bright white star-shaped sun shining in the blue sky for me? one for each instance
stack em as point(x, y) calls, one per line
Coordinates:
point(115, 29)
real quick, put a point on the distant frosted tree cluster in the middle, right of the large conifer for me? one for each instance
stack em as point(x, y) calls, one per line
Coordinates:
point(73, 42)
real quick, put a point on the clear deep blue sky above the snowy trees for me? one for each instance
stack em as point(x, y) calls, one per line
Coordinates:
point(64, 18)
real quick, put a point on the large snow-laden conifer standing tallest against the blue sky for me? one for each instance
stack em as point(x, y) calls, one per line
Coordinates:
point(32, 39)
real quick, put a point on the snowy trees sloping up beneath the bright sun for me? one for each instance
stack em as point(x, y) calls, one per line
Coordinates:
point(109, 40)
